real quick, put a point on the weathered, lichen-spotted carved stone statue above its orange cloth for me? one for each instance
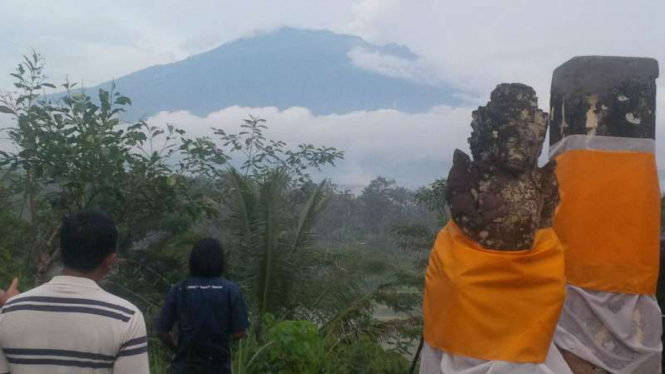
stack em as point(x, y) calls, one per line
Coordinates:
point(501, 197)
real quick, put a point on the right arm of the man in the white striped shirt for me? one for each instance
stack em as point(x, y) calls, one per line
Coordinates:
point(133, 354)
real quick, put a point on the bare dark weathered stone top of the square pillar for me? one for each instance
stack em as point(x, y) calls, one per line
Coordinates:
point(602, 95)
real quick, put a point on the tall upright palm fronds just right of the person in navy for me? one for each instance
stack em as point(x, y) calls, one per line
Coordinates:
point(270, 238)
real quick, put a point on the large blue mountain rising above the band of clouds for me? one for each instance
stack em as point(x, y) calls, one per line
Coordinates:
point(285, 68)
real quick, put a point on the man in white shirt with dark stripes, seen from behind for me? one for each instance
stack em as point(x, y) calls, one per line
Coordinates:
point(70, 325)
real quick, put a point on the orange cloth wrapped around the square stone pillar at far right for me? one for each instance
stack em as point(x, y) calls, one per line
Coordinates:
point(608, 220)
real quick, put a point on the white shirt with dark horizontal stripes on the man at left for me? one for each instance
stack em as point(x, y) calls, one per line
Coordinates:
point(70, 325)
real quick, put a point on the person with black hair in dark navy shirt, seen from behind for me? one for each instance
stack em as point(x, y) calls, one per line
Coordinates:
point(210, 311)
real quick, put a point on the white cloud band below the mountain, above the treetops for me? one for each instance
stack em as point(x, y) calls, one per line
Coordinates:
point(407, 147)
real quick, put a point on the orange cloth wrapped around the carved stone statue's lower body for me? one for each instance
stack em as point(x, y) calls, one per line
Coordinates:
point(493, 305)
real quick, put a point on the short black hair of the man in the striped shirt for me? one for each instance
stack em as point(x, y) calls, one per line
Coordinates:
point(86, 239)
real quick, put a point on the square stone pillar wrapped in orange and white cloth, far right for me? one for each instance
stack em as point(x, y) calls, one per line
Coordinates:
point(606, 106)
